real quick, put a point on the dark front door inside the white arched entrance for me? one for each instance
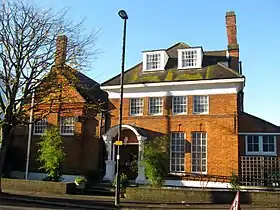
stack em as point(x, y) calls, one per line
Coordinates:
point(128, 160)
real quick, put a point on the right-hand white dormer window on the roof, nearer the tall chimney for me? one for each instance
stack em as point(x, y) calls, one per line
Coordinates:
point(190, 58)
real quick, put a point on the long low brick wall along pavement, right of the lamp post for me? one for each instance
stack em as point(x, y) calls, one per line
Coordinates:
point(192, 195)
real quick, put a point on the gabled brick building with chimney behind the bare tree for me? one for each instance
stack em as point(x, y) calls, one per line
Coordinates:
point(76, 106)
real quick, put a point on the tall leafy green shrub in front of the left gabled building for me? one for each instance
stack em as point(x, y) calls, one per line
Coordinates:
point(51, 153)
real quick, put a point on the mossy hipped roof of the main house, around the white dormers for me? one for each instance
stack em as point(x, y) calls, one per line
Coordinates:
point(211, 69)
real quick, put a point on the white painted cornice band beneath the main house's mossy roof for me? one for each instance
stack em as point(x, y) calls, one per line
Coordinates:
point(208, 87)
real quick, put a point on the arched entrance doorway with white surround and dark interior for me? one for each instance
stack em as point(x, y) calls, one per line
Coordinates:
point(132, 148)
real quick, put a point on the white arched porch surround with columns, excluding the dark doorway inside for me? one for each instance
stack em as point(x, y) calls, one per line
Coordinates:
point(109, 137)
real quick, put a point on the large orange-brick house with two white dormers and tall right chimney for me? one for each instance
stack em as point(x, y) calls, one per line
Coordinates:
point(194, 96)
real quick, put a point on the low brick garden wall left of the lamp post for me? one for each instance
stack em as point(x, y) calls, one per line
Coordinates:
point(38, 186)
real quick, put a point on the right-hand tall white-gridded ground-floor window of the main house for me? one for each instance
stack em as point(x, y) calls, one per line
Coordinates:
point(199, 150)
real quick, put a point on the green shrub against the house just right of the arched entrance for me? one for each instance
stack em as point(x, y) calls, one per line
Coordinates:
point(156, 160)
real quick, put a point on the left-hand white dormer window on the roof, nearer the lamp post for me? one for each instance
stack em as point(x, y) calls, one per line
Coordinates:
point(154, 60)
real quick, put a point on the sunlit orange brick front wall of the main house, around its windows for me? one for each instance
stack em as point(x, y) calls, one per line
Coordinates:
point(220, 125)
